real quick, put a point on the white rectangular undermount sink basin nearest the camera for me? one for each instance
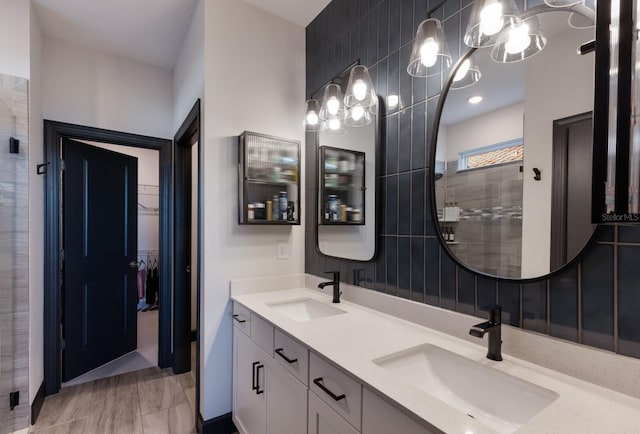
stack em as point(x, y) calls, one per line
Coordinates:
point(496, 399)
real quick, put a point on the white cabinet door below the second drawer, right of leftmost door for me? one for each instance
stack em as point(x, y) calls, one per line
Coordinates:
point(286, 402)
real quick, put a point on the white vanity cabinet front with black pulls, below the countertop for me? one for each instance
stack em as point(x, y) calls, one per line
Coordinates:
point(281, 387)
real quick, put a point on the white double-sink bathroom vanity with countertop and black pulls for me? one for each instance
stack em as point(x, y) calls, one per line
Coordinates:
point(304, 364)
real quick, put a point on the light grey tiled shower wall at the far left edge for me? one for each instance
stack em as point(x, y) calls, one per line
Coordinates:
point(14, 253)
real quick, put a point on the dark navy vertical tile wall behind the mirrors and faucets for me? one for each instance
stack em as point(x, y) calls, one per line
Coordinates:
point(578, 305)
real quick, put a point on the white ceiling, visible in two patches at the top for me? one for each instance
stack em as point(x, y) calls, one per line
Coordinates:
point(150, 31)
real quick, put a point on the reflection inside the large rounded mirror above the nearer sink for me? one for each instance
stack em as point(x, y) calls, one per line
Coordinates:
point(513, 153)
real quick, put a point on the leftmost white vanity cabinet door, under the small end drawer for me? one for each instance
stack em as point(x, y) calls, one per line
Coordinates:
point(249, 380)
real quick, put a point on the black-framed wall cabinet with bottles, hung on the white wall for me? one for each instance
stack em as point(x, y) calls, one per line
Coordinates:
point(269, 180)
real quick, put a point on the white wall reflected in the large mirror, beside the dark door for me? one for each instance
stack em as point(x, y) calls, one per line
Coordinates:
point(570, 87)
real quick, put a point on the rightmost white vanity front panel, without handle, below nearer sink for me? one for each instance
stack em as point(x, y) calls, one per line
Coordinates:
point(380, 417)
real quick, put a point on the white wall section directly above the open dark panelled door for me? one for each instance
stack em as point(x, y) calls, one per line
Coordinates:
point(88, 87)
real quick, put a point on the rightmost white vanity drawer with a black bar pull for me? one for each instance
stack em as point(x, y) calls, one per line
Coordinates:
point(337, 389)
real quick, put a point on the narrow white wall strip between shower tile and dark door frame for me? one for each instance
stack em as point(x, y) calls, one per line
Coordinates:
point(36, 214)
